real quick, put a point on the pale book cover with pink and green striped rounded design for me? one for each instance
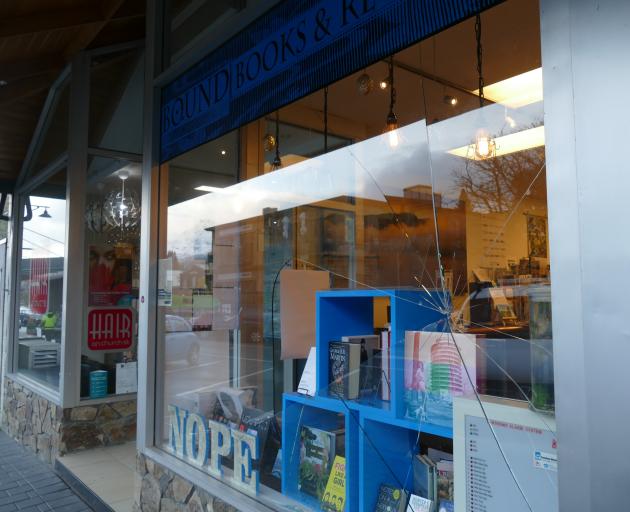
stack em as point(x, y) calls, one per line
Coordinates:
point(438, 366)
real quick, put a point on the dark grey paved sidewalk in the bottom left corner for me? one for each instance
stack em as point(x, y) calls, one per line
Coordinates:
point(30, 485)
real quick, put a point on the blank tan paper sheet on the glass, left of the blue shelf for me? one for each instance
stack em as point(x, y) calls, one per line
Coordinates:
point(297, 310)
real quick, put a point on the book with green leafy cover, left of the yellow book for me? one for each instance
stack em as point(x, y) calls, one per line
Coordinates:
point(317, 452)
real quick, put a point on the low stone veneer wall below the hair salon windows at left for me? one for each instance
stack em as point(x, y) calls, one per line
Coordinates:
point(51, 431)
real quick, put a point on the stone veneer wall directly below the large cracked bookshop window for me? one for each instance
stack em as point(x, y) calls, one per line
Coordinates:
point(164, 491)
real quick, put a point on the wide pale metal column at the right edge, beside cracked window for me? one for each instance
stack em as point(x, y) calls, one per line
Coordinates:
point(586, 69)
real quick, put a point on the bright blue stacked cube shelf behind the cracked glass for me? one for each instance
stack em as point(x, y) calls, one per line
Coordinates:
point(380, 442)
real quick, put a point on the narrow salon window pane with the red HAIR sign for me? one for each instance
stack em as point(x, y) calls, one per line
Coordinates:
point(112, 227)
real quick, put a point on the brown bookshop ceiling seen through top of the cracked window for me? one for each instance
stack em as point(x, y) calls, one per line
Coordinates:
point(511, 46)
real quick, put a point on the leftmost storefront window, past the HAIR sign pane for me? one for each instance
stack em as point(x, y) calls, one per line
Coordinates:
point(41, 274)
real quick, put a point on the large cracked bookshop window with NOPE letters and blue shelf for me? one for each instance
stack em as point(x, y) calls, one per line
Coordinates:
point(402, 232)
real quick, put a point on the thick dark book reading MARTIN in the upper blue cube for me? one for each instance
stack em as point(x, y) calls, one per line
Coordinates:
point(344, 361)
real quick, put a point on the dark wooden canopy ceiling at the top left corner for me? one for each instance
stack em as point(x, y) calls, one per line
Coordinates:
point(37, 39)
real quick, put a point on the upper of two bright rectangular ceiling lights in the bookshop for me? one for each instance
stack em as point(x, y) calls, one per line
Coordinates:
point(517, 91)
